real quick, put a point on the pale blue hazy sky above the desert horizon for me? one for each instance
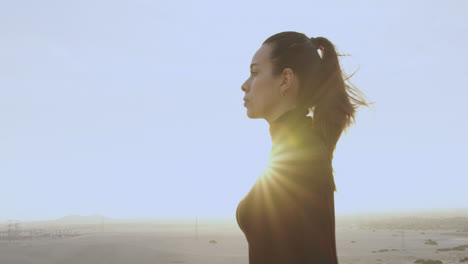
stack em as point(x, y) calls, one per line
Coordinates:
point(133, 109)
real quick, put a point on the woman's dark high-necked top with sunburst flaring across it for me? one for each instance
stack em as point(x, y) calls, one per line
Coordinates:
point(288, 215)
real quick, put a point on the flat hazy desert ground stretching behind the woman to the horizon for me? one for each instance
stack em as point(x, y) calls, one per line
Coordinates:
point(393, 242)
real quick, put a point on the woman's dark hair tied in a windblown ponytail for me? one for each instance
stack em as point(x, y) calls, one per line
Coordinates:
point(323, 88)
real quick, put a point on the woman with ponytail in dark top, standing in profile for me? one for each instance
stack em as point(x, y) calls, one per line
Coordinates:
point(288, 215)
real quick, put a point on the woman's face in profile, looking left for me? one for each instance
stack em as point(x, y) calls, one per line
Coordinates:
point(261, 89)
